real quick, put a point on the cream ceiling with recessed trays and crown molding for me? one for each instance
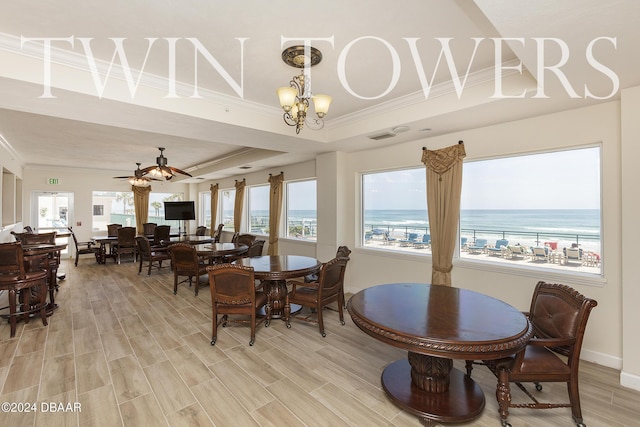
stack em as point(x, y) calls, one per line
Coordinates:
point(203, 75)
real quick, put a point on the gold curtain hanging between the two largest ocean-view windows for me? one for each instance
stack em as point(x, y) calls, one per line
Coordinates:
point(444, 185)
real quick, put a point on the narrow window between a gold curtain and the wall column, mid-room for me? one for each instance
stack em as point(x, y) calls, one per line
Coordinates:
point(301, 209)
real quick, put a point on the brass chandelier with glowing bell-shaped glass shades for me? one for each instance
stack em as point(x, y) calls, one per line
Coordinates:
point(294, 99)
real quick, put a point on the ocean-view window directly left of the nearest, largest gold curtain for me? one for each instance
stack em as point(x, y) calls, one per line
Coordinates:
point(395, 210)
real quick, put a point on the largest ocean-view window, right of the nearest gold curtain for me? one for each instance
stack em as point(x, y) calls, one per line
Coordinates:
point(546, 202)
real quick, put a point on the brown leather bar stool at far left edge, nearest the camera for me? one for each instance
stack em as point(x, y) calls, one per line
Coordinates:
point(29, 289)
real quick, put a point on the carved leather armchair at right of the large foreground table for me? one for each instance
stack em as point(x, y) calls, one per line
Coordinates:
point(559, 315)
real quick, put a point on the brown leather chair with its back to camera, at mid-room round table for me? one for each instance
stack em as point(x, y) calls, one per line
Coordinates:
point(233, 292)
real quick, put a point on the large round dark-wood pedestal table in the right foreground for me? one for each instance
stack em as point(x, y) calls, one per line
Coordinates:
point(437, 324)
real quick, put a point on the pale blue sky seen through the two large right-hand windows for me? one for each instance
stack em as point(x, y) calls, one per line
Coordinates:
point(556, 180)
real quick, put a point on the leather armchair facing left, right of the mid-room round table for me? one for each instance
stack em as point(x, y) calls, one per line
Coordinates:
point(317, 295)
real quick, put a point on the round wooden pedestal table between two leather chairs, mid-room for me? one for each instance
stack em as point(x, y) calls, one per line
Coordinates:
point(274, 270)
